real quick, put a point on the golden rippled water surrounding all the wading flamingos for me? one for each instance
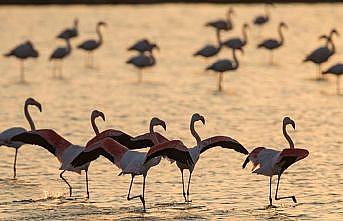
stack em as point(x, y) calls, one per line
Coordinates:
point(250, 109)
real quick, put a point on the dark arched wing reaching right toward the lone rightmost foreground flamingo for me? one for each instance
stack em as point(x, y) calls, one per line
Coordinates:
point(223, 141)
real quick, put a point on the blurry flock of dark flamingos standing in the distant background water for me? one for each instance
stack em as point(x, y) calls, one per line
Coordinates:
point(145, 57)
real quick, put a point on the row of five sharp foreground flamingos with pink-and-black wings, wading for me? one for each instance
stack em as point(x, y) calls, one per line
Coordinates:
point(120, 148)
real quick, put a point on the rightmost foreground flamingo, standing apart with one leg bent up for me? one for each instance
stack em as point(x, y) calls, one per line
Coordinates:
point(274, 162)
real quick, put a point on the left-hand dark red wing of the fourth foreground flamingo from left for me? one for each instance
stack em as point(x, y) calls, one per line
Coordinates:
point(174, 150)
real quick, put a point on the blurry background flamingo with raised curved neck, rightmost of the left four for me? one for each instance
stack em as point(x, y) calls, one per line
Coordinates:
point(90, 45)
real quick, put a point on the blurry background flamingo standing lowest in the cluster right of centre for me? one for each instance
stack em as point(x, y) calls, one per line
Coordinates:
point(224, 65)
